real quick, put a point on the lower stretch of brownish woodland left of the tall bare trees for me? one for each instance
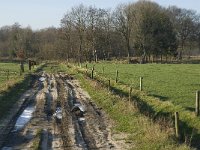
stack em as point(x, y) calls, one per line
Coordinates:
point(16, 41)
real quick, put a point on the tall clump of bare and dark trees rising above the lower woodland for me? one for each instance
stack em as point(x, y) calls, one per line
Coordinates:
point(139, 29)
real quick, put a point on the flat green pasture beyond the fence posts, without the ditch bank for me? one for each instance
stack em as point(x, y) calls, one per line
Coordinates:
point(176, 83)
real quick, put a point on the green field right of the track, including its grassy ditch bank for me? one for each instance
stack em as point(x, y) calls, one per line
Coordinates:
point(168, 88)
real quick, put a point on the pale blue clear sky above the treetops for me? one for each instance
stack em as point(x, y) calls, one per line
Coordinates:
point(40, 14)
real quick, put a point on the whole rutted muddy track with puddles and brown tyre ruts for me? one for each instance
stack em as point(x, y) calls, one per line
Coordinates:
point(83, 124)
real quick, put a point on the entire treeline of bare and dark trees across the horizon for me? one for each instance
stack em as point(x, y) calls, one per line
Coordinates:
point(143, 30)
